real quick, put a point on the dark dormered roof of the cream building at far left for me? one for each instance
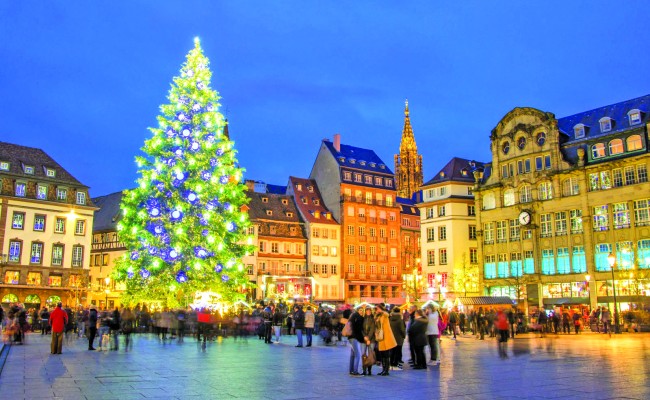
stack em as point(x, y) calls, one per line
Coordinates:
point(19, 156)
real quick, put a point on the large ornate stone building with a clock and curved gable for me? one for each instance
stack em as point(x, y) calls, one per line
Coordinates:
point(558, 198)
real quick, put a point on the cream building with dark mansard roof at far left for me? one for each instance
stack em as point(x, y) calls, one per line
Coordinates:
point(46, 217)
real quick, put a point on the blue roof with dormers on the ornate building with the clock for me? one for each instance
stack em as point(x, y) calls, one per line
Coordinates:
point(617, 112)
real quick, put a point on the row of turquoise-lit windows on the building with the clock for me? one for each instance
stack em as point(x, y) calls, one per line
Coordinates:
point(566, 261)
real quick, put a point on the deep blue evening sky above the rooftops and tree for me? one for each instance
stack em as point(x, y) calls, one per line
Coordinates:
point(84, 79)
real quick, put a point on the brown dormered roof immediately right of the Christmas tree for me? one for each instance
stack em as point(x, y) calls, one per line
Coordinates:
point(270, 206)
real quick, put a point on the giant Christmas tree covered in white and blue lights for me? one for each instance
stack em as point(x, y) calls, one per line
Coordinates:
point(183, 226)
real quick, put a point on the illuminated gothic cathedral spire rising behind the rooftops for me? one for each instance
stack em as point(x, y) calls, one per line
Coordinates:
point(408, 163)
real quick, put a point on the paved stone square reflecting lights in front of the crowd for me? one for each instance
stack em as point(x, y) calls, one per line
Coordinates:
point(587, 366)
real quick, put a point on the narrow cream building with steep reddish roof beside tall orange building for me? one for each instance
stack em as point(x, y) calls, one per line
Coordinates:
point(324, 240)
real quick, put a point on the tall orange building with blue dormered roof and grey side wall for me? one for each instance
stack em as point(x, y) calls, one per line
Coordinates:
point(359, 190)
